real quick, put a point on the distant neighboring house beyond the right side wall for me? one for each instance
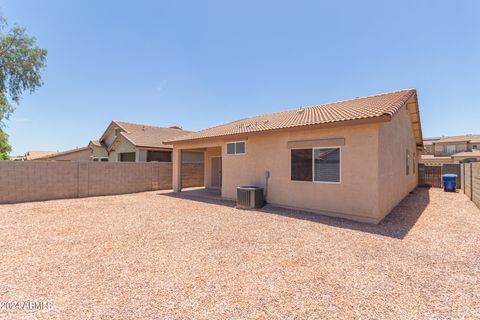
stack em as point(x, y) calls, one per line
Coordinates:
point(452, 149)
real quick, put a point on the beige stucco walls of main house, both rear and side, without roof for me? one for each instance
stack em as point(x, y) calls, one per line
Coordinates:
point(373, 168)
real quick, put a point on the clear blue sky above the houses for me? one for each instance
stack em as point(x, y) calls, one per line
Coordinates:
point(202, 63)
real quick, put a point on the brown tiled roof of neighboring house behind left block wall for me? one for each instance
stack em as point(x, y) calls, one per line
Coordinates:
point(147, 136)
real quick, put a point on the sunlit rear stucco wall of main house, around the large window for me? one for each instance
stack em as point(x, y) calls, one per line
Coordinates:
point(355, 197)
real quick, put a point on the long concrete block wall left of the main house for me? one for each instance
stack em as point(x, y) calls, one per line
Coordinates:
point(41, 180)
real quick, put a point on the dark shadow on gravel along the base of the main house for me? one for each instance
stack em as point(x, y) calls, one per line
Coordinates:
point(396, 224)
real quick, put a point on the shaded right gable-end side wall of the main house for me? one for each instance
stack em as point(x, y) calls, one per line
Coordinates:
point(394, 139)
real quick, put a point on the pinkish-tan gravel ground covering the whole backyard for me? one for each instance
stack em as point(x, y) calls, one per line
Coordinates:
point(160, 256)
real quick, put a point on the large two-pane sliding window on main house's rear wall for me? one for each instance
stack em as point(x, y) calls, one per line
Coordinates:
point(317, 164)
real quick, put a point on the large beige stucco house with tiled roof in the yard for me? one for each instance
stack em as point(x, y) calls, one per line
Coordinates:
point(355, 159)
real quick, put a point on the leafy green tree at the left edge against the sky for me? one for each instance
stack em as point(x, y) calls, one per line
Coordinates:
point(21, 62)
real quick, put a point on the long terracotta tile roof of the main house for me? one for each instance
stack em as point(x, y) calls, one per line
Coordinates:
point(378, 106)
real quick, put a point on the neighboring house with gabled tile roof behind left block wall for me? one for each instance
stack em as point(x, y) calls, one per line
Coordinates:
point(130, 142)
